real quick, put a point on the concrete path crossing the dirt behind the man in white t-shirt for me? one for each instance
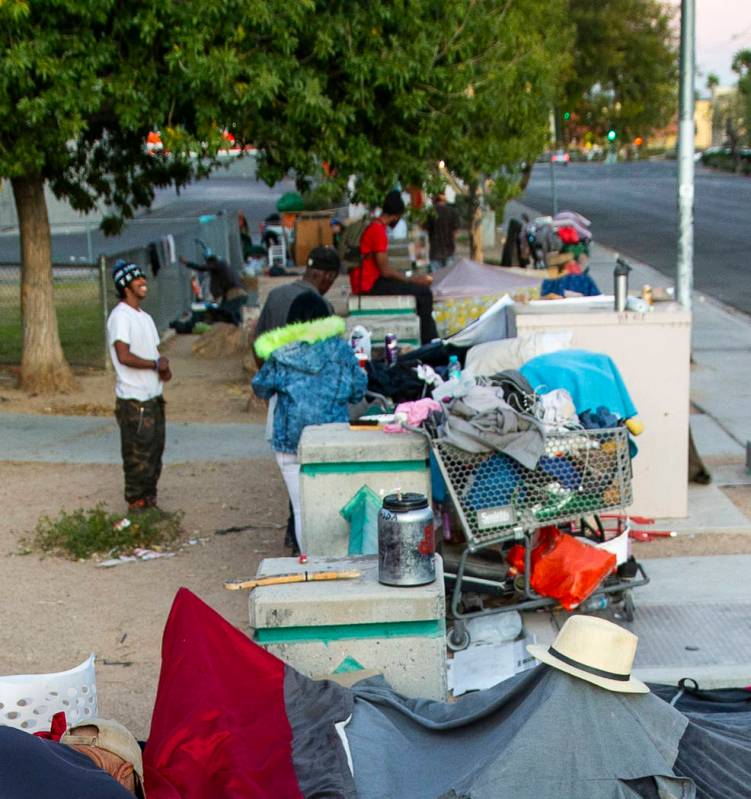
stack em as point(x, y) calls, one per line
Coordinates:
point(78, 439)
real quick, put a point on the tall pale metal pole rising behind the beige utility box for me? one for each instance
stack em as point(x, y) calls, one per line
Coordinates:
point(685, 266)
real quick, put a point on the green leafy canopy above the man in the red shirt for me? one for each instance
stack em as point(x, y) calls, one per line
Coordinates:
point(403, 85)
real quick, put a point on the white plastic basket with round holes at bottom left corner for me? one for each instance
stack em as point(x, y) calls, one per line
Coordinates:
point(28, 701)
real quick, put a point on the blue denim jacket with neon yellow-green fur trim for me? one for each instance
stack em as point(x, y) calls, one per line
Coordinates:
point(314, 374)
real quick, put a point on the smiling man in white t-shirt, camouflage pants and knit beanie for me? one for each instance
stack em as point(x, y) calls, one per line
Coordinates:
point(140, 373)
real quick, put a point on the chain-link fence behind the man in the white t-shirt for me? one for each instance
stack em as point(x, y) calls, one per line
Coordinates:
point(84, 293)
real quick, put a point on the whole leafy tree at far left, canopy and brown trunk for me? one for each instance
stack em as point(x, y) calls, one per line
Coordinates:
point(81, 84)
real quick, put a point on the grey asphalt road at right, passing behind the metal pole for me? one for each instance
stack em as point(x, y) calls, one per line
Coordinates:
point(633, 209)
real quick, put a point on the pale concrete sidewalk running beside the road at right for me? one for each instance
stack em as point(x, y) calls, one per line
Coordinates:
point(694, 617)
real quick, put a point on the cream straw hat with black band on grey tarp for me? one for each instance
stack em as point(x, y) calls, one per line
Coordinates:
point(595, 650)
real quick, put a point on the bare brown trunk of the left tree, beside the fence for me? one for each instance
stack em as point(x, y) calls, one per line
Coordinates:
point(44, 369)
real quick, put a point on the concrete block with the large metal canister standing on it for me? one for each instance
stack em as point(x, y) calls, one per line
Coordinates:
point(319, 628)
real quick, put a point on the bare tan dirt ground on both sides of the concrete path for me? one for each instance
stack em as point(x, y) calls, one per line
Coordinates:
point(56, 612)
